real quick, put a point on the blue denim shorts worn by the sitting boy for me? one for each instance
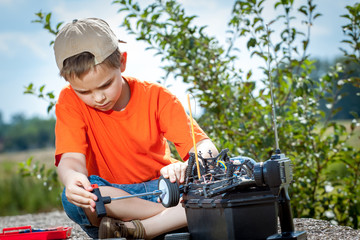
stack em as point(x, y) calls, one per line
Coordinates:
point(78, 215)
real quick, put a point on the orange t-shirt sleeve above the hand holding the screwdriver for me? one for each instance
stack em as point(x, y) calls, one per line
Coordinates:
point(70, 129)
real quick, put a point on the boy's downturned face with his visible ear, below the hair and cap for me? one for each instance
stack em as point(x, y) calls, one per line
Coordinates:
point(102, 87)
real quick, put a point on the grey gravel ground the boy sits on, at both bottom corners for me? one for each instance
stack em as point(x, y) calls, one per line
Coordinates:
point(316, 229)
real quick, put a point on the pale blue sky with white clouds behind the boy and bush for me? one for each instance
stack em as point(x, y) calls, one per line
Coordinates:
point(26, 57)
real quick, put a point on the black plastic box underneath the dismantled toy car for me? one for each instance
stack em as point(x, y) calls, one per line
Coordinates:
point(241, 214)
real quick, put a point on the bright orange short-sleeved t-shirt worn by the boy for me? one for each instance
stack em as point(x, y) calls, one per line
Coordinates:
point(128, 146)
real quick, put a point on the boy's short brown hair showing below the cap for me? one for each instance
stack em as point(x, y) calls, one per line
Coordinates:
point(82, 63)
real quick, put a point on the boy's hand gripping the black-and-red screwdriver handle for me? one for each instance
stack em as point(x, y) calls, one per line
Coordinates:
point(78, 191)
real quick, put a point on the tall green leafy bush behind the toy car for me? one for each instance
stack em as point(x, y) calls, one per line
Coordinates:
point(237, 107)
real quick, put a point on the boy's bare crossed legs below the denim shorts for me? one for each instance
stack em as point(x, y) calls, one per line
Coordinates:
point(156, 219)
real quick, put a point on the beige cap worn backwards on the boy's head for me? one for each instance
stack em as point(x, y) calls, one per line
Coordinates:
point(86, 35)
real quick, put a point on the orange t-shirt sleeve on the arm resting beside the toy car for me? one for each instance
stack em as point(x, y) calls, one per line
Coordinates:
point(175, 124)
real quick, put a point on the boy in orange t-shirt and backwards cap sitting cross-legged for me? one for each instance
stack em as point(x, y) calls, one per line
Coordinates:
point(113, 130)
